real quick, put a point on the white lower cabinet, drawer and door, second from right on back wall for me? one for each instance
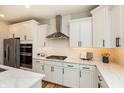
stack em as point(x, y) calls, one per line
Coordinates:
point(71, 75)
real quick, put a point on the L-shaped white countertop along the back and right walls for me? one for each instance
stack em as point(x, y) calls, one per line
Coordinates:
point(112, 73)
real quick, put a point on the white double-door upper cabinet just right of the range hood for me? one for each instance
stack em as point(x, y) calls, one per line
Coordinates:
point(81, 33)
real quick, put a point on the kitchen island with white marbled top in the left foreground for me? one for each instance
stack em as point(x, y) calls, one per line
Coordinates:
point(17, 78)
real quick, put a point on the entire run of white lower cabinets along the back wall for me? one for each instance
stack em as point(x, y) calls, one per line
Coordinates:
point(67, 74)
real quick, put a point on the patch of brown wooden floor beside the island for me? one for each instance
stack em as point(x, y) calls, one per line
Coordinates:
point(46, 84)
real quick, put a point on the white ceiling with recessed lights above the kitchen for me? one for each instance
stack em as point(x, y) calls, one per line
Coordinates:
point(14, 13)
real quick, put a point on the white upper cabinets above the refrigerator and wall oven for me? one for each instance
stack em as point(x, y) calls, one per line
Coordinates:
point(23, 30)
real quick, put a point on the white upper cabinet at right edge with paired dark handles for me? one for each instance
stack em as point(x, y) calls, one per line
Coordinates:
point(117, 18)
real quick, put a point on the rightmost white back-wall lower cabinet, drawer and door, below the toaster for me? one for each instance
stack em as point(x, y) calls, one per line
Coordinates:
point(88, 77)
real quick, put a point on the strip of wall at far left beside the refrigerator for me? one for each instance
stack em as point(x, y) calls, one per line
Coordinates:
point(3, 35)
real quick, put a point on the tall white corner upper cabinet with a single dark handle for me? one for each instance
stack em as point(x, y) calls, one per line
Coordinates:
point(101, 20)
